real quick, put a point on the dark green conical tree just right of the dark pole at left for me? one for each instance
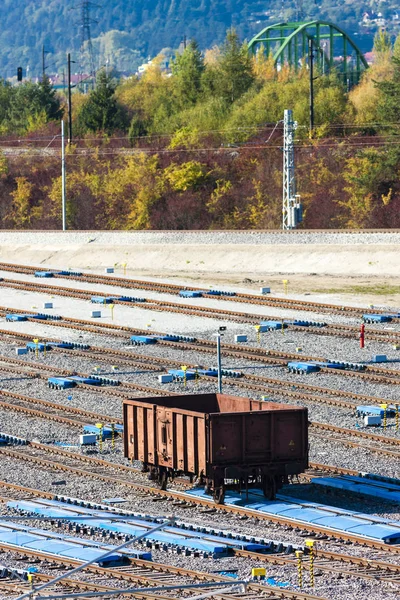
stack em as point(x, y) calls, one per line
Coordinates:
point(102, 112)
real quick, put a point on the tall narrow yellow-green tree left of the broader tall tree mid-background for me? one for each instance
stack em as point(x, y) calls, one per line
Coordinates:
point(187, 69)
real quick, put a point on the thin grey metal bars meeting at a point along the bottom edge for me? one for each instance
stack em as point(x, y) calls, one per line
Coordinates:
point(237, 586)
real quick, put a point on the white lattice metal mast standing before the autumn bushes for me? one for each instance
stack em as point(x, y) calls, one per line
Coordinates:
point(292, 209)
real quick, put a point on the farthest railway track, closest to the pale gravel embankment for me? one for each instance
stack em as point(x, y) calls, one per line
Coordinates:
point(174, 289)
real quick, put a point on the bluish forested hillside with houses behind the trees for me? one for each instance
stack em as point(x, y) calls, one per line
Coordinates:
point(126, 33)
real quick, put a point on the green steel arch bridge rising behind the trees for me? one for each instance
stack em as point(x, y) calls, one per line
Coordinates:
point(333, 48)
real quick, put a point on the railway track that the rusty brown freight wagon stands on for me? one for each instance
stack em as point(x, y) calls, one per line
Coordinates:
point(53, 465)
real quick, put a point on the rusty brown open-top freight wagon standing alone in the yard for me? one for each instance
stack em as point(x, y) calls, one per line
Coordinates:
point(221, 440)
